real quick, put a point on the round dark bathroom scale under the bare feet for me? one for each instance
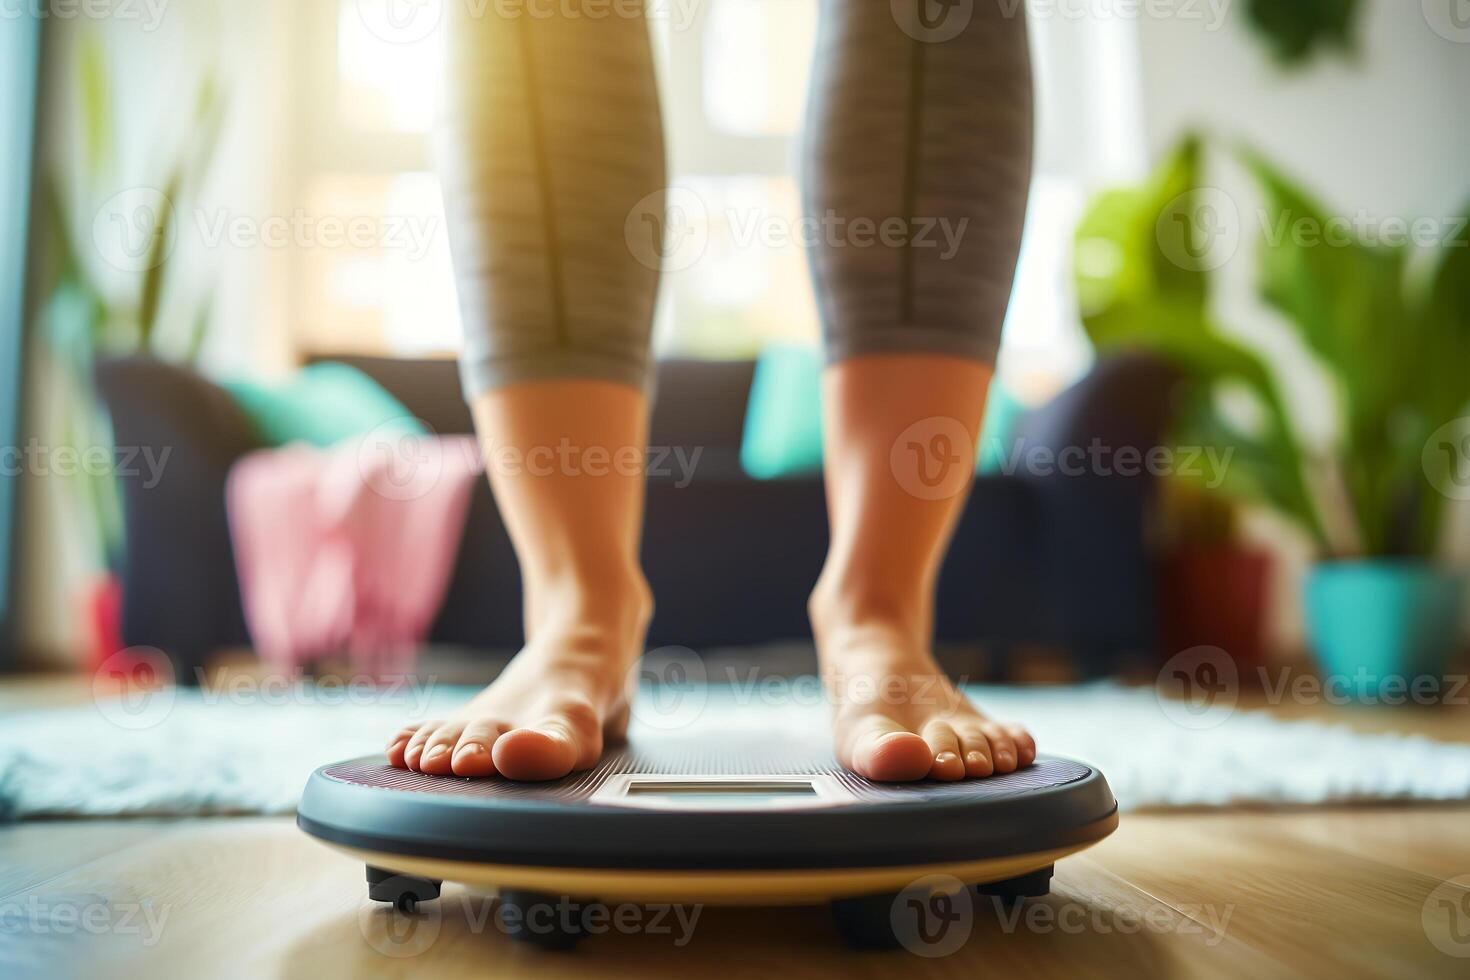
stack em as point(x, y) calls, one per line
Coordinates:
point(739, 818)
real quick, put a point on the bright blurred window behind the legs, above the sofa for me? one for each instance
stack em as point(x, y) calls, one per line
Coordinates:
point(734, 87)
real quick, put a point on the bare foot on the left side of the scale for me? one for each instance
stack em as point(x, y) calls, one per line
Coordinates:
point(551, 712)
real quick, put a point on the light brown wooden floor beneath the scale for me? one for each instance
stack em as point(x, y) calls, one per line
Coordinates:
point(1259, 894)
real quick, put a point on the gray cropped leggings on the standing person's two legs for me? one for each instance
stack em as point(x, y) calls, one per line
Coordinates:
point(917, 171)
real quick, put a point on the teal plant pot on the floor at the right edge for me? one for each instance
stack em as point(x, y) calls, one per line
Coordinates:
point(1383, 627)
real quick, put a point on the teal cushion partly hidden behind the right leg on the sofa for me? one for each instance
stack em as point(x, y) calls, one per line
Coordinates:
point(784, 418)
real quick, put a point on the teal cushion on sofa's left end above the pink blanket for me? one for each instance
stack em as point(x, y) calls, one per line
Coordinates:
point(321, 406)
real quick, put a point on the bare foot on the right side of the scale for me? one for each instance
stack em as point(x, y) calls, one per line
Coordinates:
point(896, 715)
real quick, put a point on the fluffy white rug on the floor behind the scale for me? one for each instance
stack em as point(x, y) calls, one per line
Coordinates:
point(187, 753)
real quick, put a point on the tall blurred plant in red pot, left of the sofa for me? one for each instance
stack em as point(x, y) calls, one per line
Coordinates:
point(110, 298)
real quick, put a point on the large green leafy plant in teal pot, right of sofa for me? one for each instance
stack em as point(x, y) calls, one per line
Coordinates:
point(1387, 324)
